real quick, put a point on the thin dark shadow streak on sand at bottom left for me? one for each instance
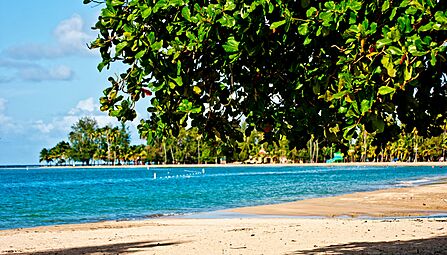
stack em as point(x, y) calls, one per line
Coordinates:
point(117, 248)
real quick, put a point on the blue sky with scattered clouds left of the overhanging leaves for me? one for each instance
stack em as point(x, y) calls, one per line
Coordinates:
point(48, 76)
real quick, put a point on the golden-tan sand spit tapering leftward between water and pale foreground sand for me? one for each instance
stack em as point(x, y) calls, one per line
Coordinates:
point(412, 201)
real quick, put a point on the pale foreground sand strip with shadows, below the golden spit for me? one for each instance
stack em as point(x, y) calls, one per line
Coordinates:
point(234, 236)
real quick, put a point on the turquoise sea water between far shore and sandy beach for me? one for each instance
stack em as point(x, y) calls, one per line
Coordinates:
point(45, 196)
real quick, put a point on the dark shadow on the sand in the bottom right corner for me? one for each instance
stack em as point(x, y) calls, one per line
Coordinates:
point(436, 245)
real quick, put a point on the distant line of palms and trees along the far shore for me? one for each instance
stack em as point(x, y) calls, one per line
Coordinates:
point(89, 144)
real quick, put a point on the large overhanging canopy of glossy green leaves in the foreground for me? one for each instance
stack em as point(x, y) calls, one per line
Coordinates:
point(296, 68)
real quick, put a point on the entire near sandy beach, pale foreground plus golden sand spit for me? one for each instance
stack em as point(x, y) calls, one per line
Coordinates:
point(259, 235)
